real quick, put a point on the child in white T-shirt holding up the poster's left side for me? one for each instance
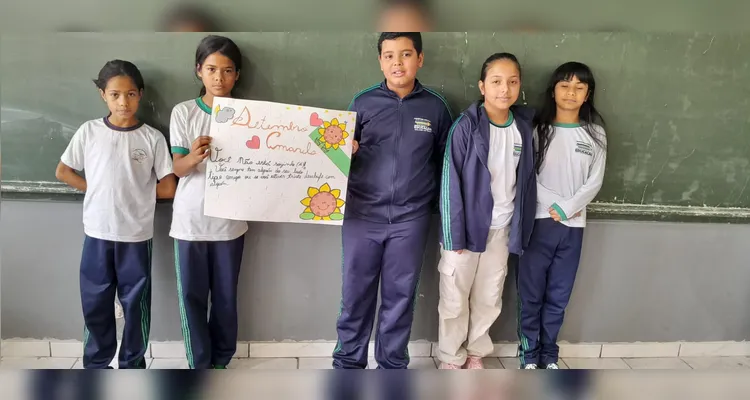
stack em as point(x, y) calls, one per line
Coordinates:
point(208, 251)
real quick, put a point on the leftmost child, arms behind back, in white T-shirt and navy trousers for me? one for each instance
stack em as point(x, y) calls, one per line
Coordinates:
point(127, 166)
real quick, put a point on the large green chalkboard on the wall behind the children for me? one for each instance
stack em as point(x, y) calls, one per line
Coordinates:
point(677, 106)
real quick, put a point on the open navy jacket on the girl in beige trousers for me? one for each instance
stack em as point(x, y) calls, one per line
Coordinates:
point(466, 197)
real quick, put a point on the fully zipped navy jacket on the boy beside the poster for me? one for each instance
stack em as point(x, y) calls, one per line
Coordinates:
point(401, 144)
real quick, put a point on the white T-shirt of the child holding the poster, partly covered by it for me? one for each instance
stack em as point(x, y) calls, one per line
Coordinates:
point(191, 119)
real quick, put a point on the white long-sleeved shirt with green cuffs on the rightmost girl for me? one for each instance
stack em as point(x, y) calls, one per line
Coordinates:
point(572, 173)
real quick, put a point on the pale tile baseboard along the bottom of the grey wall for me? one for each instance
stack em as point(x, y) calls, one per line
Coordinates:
point(324, 349)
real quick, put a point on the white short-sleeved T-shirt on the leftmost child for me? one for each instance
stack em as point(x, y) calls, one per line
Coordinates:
point(121, 166)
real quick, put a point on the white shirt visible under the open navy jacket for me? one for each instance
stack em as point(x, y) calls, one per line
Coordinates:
point(504, 155)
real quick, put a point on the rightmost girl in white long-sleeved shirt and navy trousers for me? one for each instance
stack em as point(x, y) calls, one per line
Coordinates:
point(570, 163)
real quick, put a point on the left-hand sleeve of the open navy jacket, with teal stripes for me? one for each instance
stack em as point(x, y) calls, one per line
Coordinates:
point(452, 215)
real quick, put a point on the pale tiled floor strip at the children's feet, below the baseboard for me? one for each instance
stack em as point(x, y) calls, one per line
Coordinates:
point(420, 363)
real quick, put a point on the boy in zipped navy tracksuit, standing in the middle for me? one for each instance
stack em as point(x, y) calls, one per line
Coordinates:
point(392, 192)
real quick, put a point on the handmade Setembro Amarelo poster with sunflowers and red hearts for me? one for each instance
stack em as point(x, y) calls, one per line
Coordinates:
point(278, 162)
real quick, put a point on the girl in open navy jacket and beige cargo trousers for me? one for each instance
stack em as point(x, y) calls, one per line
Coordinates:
point(487, 205)
